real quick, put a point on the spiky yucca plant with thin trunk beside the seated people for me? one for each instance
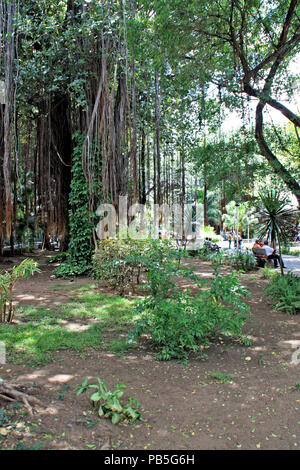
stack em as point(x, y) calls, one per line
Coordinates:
point(278, 219)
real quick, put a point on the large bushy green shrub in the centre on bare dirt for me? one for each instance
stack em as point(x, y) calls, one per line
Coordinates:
point(179, 322)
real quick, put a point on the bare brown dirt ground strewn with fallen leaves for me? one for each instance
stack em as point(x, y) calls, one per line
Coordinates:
point(182, 406)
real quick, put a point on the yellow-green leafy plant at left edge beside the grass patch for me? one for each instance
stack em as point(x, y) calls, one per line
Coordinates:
point(28, 267)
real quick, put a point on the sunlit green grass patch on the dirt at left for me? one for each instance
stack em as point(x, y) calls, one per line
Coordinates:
point(76, 326)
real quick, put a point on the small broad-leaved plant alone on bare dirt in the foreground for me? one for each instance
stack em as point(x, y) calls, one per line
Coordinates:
point(108, 402)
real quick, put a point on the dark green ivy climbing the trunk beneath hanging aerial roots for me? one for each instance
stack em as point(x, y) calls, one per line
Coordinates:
point(81, 227)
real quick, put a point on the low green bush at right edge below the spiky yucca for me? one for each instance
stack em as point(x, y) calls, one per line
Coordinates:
point(285, 291)
